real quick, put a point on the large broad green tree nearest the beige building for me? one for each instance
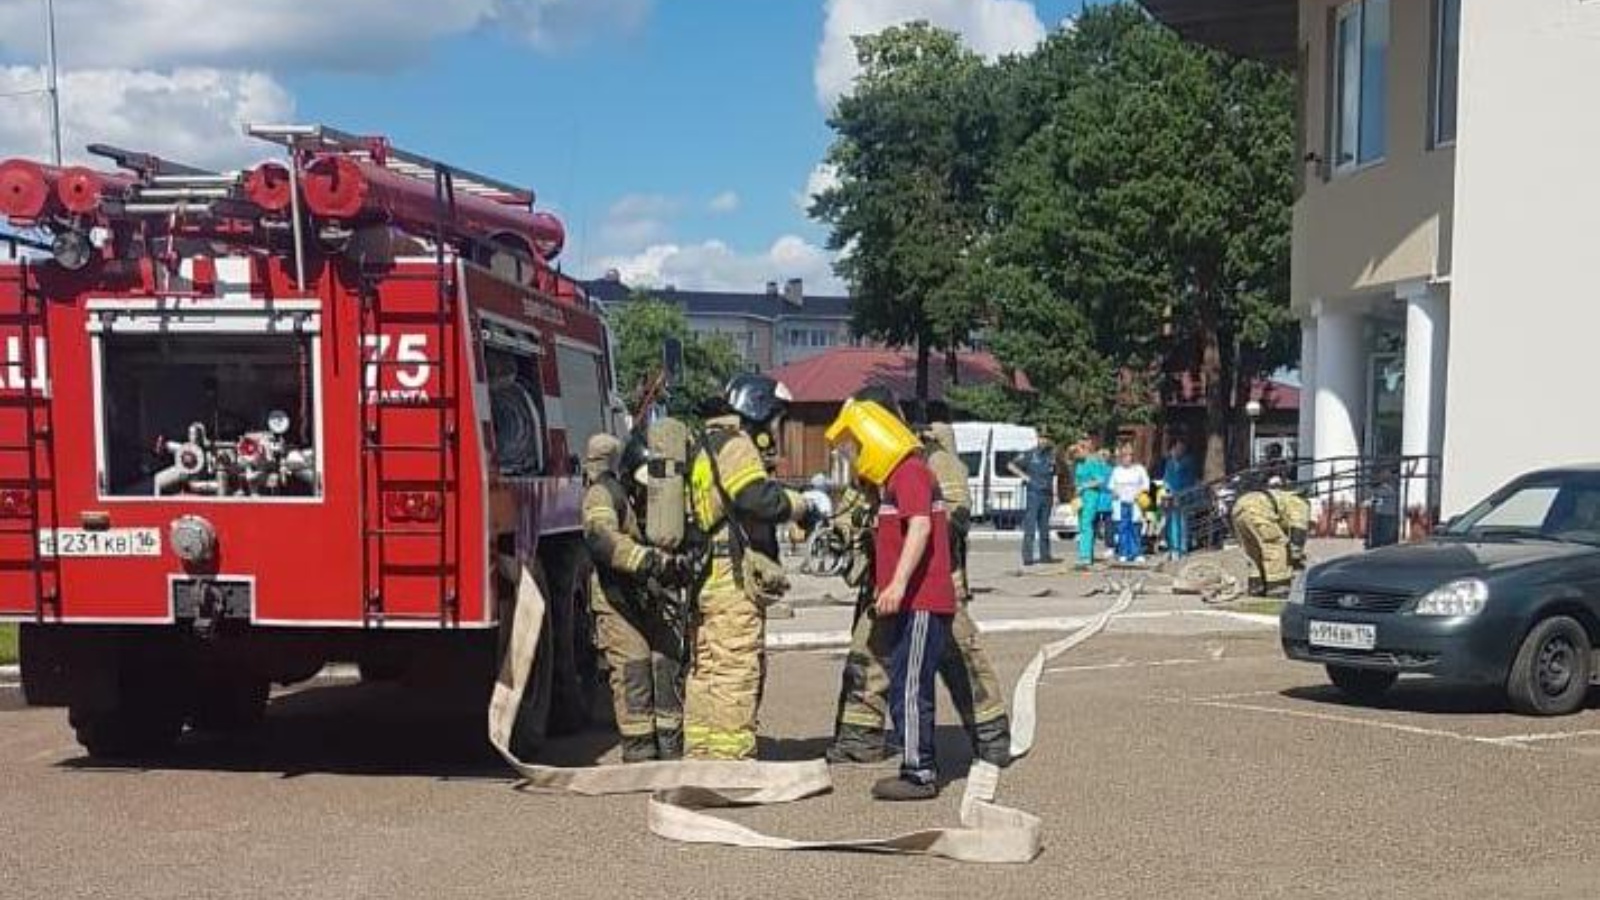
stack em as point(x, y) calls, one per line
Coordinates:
point(1142, 223)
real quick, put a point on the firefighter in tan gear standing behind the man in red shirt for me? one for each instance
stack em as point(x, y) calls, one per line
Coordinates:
point(862, 729)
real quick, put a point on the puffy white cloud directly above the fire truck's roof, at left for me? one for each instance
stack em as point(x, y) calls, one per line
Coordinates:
point(190, 115)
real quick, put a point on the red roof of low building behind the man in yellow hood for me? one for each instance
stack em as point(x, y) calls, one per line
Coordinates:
point(838, 374)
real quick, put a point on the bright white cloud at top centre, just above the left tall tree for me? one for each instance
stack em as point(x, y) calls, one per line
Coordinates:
point(993, 28)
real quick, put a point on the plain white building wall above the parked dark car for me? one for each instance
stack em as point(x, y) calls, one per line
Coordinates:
point(1526, 295)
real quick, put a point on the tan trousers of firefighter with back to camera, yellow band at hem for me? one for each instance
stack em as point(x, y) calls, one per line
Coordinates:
point(726, 675)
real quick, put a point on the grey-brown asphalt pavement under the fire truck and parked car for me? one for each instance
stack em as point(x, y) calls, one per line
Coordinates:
point(1178, 757)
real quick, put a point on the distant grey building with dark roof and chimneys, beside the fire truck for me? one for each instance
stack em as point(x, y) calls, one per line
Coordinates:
point(770, 329)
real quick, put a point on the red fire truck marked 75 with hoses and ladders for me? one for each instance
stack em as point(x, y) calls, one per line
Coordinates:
point(258, 422)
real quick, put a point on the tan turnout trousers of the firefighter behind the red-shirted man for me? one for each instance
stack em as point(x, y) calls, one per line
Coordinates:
point(964, 665)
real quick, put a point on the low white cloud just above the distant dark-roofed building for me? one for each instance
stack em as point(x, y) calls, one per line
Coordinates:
point(718, 267)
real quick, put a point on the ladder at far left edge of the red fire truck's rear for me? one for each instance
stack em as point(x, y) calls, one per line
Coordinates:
point(33, 441)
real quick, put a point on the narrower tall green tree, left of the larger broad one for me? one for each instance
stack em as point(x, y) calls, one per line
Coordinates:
point(914, 145)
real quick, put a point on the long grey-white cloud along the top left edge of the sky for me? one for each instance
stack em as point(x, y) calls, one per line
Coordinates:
point(279, 34)
